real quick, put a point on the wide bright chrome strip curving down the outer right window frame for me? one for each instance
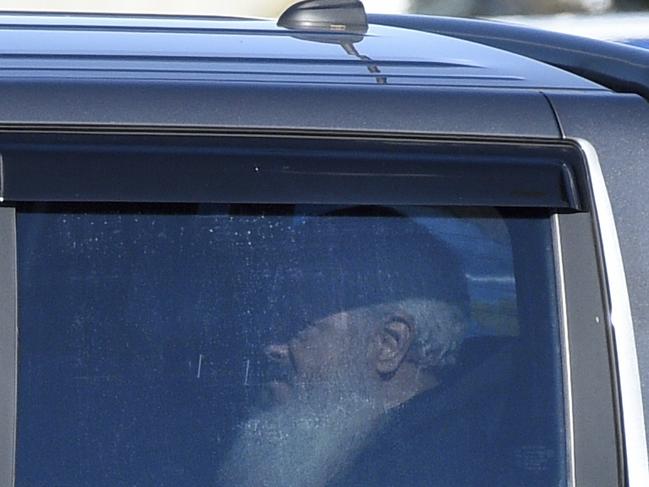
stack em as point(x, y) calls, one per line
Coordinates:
point(633, 422)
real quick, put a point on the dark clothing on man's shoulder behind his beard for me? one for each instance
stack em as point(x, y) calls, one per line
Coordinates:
point(443, 437)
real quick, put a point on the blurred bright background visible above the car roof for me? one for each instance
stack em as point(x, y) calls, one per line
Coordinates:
point(626, 20)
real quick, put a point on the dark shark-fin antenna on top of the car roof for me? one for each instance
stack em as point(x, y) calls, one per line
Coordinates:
point(342, 16)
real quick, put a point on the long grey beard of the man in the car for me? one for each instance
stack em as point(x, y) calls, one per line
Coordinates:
point(305, 442)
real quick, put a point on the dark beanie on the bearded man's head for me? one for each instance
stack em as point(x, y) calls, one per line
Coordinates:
point(312, 267)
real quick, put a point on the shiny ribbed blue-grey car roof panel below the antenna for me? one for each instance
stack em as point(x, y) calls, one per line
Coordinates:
point(194, 49)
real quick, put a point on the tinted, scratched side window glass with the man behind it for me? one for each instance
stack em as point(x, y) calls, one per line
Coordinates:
point(211, 345)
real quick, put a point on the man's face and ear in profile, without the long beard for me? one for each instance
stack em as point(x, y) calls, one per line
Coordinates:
point(358, 352)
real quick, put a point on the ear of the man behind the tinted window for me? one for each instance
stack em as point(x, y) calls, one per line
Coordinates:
point(393, 340)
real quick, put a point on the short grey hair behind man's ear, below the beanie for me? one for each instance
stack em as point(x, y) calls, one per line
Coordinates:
point(439, 329)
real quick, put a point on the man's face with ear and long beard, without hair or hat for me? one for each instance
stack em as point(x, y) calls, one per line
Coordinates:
point(345, 371)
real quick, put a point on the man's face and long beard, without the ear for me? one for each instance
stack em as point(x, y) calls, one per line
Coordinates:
point(321, 413)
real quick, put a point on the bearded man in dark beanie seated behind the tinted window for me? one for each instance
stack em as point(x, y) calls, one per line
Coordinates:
point(386, 303)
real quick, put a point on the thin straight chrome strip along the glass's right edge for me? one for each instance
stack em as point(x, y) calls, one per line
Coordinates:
point(565, 353)
